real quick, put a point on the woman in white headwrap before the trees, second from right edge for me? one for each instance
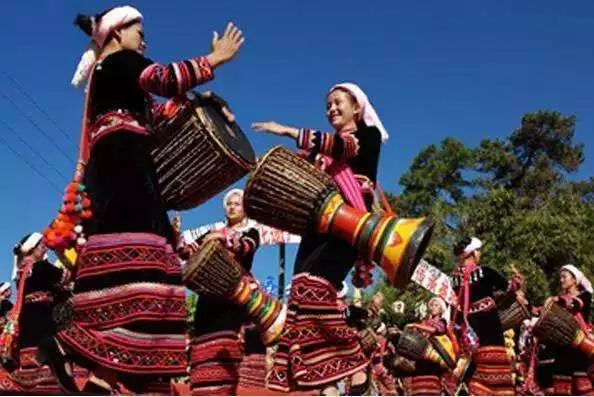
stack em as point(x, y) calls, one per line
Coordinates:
point(481, 331)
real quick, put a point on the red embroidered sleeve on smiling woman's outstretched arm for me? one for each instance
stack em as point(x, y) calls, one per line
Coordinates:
point(334, 145)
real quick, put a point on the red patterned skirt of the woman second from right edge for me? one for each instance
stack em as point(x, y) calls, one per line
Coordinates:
point(493, 374)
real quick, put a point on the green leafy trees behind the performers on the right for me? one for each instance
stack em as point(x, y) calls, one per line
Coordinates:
point(513, 193)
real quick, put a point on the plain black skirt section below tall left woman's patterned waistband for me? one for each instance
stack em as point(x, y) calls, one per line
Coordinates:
point(122, 185)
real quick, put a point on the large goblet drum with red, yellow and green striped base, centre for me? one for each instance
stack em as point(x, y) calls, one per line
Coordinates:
point(287, 192)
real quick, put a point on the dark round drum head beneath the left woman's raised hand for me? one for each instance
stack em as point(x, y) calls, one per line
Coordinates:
point(228, 134)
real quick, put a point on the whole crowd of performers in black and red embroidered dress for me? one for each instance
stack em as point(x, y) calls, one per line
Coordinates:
point(112, 318)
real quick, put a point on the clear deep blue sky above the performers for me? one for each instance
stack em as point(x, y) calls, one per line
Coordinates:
point(467, 69)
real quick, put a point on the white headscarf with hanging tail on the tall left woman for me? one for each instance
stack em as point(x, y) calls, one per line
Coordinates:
point(112, 20)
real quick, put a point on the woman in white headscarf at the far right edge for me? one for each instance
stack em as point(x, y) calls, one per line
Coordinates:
point(570, 369)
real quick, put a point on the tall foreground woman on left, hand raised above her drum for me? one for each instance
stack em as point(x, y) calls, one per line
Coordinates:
point(129, 303)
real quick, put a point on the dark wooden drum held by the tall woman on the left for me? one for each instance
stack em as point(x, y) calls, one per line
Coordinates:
point(198, 154)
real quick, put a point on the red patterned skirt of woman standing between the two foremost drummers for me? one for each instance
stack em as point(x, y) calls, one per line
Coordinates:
point(214, 363)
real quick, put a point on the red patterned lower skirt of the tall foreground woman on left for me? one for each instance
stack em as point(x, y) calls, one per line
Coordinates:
point(134, 328)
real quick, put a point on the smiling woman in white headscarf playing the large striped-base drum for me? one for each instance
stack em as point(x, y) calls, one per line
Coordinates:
point(351, 156)
